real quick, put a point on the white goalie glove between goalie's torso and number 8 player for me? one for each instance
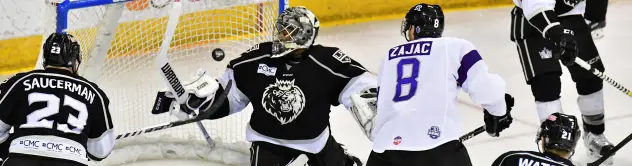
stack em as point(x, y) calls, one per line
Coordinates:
point(364, 109)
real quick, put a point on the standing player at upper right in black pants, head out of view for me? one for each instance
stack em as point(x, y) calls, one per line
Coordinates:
point(548, 30)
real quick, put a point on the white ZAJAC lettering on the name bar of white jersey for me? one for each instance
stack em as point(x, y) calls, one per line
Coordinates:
point(410, 49)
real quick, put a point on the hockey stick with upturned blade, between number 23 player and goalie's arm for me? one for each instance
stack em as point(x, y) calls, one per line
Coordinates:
point(203, 115)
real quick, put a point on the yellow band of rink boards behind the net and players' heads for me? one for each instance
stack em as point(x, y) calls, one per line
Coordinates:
point(20, 53)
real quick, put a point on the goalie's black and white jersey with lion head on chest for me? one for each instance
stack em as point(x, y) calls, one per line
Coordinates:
point(292, 102)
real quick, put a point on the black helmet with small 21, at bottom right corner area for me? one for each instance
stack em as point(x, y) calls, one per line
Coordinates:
point(559, 132)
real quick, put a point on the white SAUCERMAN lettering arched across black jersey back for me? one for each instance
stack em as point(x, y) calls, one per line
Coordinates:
point(43, 82)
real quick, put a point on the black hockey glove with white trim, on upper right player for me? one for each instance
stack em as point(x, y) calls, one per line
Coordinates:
point(547, 23)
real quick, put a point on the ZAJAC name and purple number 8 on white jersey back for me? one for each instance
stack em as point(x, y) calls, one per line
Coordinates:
point(408, 67)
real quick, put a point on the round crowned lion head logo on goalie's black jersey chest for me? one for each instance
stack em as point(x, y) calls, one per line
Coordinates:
point(283, 100)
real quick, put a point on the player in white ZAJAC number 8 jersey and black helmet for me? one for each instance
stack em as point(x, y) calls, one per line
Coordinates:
point(417, 117)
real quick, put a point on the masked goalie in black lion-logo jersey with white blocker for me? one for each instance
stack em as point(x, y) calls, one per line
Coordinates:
point(291, 84)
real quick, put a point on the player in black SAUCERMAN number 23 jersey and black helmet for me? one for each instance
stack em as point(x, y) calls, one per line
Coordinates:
point(59, 118)
